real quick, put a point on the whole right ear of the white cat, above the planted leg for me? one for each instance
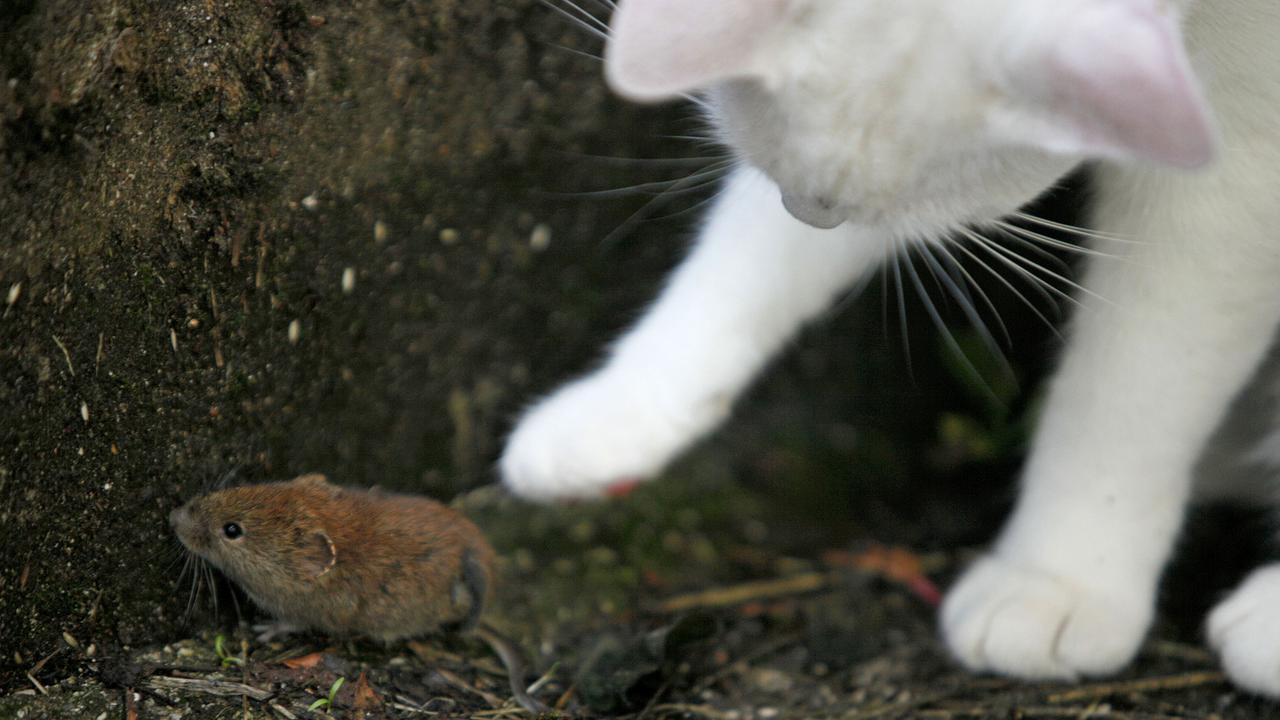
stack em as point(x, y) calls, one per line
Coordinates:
point(1112, 81)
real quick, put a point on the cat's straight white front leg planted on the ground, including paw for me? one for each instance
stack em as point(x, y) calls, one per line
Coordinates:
point(1172, 332)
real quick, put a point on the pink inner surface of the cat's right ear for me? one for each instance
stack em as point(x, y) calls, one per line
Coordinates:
point(1122, 79)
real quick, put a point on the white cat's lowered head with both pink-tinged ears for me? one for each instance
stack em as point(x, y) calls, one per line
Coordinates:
point(932, 111)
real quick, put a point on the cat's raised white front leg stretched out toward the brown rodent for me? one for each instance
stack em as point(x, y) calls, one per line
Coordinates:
point(753, 279)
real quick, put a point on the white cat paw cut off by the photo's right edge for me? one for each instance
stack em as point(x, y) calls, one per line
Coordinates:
point(1245, 630)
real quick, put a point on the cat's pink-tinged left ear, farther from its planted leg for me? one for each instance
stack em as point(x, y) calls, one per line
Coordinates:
point(660, 49)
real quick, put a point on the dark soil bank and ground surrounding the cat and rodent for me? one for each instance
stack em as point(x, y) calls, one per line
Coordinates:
point(252, 240)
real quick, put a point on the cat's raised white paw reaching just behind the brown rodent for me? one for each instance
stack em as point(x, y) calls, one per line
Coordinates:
point(595, 435)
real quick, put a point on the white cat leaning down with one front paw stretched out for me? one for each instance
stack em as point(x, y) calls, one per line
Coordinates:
point(893, 122)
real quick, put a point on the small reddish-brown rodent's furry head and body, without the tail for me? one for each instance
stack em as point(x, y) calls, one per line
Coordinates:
point(341, 560)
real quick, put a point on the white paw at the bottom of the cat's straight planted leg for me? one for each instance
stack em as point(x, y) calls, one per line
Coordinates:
point(1021, 622)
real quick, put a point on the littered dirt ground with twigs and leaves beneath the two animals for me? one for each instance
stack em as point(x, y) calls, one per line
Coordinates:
point(679, 601)
